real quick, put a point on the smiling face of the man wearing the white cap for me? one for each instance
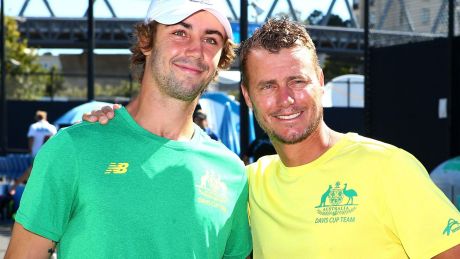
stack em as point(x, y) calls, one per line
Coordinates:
point(185, 55)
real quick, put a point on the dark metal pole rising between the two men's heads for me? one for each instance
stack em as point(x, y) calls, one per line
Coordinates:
point(244, 116)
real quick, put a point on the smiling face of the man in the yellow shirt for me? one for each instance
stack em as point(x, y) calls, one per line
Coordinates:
point(284, 89)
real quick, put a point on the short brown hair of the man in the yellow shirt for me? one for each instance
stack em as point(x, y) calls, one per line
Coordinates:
point(274, 35)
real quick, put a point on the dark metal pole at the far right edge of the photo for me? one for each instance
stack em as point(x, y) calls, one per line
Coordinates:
point(454, 91)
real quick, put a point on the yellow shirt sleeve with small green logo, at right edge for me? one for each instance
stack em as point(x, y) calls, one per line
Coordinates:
point(419, 210)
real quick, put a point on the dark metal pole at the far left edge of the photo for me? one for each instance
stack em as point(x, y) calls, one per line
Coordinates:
point(3, 113)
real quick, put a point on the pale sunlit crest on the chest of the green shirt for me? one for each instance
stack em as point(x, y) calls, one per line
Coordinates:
point(212, 191)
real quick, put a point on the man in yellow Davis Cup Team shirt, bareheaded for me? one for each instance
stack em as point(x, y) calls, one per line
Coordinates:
point(327, 194)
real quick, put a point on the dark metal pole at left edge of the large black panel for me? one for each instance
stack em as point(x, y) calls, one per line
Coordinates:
point(367, 66)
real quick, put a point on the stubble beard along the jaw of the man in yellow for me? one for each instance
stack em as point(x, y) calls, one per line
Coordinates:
point(296, 138)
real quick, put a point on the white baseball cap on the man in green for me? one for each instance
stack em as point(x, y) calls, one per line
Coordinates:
point(173, 11)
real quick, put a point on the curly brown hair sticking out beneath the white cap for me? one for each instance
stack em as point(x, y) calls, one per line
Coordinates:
point(144, 35)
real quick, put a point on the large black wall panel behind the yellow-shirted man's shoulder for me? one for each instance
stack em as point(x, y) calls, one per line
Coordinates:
point(407, 83)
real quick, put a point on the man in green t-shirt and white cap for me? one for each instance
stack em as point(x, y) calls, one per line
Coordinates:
point(151, 183)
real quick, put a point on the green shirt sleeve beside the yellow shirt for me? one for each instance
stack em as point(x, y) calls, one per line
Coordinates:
point(239, 243)
